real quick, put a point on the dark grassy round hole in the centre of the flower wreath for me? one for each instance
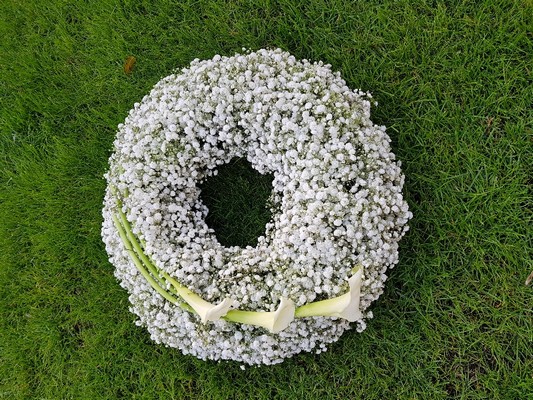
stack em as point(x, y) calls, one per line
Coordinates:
point(237, 199)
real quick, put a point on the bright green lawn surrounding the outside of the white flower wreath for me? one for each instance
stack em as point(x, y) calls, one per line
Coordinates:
point(454, 81)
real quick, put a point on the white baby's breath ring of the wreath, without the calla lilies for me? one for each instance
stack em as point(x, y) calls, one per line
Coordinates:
point(336, 200)
